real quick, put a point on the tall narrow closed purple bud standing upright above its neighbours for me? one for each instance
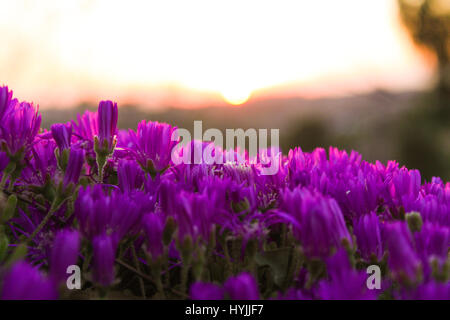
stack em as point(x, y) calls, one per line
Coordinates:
point(107, 123)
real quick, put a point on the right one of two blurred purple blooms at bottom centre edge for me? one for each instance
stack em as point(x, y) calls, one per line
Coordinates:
point(242, 287)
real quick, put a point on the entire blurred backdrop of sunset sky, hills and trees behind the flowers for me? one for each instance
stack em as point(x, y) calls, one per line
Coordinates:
point(373, 76)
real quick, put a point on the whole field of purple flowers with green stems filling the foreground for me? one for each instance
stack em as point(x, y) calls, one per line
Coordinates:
point(138, 226)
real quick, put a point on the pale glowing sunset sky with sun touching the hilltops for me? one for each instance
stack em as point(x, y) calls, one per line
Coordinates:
point(191, 53)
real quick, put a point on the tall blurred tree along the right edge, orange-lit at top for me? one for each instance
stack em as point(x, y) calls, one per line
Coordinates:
point(424, 138)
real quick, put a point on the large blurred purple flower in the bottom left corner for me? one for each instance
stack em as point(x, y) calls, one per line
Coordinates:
point(24, 282)
